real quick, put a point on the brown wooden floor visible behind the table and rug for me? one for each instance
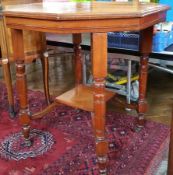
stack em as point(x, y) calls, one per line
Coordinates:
point(159, 94)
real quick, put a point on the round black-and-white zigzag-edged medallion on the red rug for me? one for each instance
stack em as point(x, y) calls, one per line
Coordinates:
point(12, 147)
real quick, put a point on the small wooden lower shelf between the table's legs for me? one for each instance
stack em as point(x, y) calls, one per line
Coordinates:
point(81, 97)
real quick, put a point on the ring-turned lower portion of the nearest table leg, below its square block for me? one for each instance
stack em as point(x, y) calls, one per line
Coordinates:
point(99, 124)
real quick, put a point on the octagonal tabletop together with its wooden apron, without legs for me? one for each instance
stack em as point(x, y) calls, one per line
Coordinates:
point(84, 17)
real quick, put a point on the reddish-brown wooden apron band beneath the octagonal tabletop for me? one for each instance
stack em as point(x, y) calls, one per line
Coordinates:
point(85, 26)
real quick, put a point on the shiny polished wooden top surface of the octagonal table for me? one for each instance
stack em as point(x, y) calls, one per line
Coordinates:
point(86, 10)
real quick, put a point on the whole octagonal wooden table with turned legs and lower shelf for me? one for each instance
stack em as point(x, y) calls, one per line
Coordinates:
point(97, 18)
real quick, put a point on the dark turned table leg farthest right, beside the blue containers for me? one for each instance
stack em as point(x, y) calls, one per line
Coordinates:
point(145, 50)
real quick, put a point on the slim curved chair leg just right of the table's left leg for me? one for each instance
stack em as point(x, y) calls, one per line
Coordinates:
point(45, 68)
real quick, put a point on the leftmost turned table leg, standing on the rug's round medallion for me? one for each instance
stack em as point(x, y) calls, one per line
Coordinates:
point(18, 49)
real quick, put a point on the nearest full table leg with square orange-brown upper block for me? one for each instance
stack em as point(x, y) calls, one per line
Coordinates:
point(99, 64)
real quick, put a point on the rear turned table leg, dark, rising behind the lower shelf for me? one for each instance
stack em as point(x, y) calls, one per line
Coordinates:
point(77, 39)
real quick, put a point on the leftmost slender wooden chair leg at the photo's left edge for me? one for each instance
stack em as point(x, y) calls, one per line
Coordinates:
point(8, 82)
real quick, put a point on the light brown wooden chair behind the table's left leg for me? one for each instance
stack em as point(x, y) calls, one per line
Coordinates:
point(34, 47)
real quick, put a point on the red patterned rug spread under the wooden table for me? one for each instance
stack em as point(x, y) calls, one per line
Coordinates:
point(63, 143)
